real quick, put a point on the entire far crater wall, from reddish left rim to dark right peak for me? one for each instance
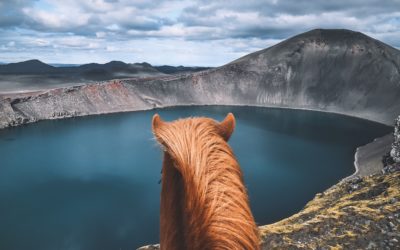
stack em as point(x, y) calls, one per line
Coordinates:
point(328, 70)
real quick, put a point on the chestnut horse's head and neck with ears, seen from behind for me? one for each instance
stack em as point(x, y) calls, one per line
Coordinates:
point(204, 204)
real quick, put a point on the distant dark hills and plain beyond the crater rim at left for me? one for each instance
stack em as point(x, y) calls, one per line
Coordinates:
point(36, 75)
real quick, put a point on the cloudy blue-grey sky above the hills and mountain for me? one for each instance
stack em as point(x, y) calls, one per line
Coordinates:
point(176, 32)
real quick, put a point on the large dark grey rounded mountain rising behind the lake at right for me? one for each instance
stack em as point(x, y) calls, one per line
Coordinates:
point(338, 71)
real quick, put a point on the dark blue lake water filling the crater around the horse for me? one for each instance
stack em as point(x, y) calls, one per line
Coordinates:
point(92, 182)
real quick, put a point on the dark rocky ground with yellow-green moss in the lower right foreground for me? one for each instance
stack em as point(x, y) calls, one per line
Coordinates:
point(362, 213)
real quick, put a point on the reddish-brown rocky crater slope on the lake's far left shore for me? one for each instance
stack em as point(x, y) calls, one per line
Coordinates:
point(68, 102)
